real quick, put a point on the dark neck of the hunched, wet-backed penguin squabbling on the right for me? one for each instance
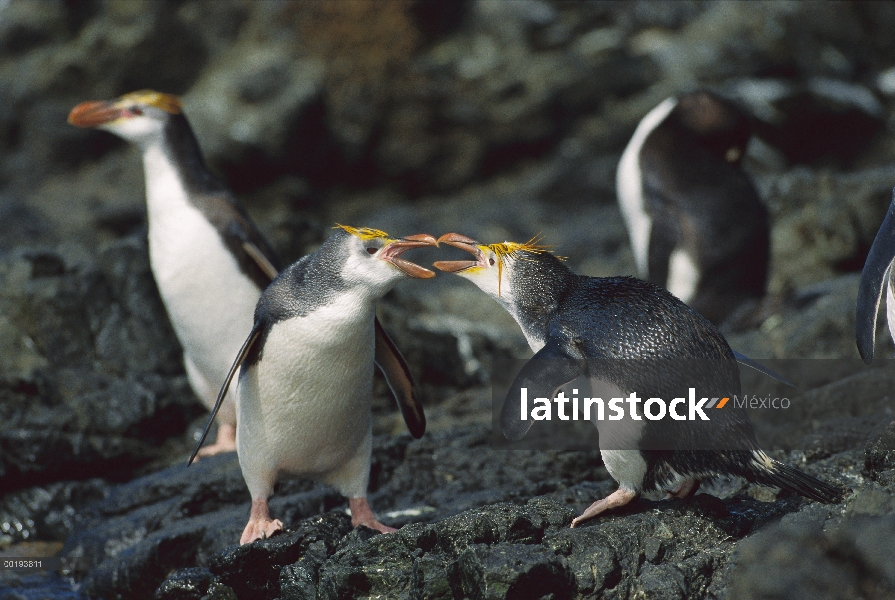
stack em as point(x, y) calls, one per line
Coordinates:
point(538, 288)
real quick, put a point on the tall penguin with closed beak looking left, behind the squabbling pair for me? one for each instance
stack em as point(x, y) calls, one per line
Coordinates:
point(208, 258)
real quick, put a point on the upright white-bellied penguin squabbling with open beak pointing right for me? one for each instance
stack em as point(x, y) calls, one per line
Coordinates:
point(306, 372)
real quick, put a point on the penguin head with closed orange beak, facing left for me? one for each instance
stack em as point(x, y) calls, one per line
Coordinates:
point(139, 117)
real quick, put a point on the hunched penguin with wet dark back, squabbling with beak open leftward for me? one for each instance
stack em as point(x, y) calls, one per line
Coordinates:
point(607, 329)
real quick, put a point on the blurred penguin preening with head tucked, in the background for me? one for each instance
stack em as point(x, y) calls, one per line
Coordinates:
point(696, 224)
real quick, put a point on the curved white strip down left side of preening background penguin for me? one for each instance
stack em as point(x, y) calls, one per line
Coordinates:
point(629, 185)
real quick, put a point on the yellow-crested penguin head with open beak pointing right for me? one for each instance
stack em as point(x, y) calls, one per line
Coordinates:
point(372, 258)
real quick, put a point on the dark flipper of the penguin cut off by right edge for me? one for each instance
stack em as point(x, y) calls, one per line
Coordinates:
point(878, 263)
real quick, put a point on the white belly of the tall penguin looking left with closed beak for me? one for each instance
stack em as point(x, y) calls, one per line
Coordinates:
point(209, 301)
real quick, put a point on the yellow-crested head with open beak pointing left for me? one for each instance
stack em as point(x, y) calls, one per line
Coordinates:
point(497, 266)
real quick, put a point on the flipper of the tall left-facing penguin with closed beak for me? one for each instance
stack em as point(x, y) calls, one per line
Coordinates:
point(252, 252)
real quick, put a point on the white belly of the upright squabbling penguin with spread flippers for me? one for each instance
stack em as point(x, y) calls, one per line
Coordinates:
point(304, 408)
